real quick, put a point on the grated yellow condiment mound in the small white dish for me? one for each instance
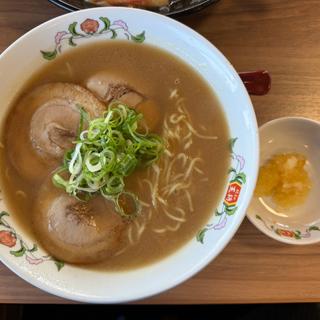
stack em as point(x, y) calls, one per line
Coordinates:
point(284, 178)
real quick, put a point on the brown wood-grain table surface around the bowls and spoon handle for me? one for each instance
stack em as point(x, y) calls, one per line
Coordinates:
point(281, 36)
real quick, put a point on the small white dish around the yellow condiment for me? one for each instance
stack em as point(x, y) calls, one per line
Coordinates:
point(299, 224)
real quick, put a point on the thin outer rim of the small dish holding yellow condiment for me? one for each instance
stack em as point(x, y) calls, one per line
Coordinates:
point(251, 217)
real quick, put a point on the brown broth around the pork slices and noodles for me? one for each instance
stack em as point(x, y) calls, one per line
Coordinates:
point(155, 73)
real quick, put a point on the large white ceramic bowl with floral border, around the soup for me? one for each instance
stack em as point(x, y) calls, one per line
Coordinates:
point(24, 57)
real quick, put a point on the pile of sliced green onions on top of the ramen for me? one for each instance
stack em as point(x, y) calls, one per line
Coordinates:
point(109, 150)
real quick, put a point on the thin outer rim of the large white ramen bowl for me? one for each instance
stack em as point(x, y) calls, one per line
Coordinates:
point(225, 238)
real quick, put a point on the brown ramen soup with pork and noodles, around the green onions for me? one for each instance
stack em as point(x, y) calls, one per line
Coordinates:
point(177, 193)
